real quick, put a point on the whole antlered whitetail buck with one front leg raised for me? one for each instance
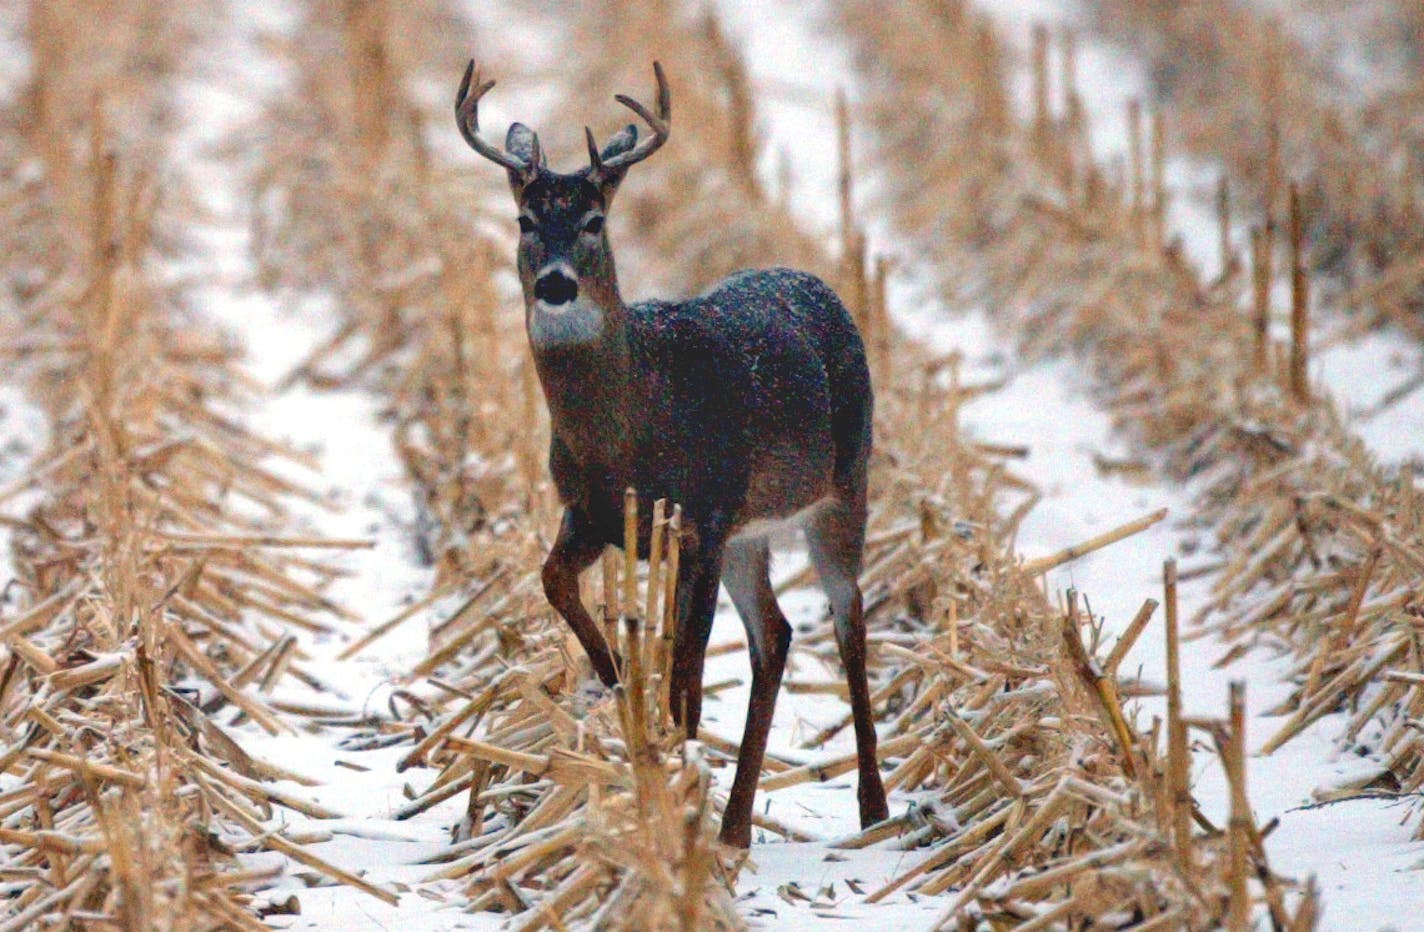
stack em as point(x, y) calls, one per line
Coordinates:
point(750, 405)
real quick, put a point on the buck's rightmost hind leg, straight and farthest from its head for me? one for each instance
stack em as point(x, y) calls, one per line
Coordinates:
point(837, 538)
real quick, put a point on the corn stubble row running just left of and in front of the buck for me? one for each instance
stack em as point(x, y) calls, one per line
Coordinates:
point(576, 804)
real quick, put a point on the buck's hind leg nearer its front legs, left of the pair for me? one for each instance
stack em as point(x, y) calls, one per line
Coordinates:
point(747, 576)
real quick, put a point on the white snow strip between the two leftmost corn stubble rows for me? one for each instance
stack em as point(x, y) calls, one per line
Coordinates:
point(365, 497)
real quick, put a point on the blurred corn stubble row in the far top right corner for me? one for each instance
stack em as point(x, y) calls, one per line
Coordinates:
point(1250, 93)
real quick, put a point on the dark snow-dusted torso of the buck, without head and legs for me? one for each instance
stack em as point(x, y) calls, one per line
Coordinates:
point(733, 397)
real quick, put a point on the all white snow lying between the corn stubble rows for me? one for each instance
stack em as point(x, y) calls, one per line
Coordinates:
point(1363, 866)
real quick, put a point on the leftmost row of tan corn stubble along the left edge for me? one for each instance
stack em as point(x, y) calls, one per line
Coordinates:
point(159, 572)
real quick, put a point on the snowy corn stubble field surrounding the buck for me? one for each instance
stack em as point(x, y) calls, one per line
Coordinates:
point(1140, 286)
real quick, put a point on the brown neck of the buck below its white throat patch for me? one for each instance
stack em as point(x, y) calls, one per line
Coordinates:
point(589, 383)
